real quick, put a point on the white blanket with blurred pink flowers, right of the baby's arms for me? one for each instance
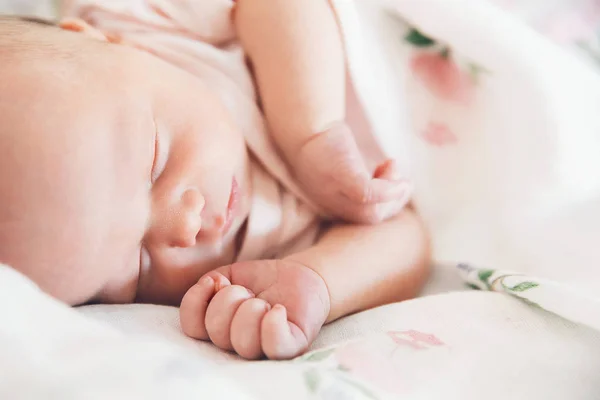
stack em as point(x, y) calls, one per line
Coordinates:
point(504, 138)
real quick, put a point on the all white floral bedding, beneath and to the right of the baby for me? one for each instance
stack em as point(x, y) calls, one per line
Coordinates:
point(504, 151)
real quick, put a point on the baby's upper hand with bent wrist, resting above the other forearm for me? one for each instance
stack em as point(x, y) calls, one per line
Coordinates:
point(332, 171)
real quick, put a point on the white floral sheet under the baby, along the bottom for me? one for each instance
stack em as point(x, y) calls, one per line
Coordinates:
point(465, 345)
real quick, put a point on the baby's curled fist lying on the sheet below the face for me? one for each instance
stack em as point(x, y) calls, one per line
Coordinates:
point(256, 308)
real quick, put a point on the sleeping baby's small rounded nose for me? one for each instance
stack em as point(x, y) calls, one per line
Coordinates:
point(185, 219)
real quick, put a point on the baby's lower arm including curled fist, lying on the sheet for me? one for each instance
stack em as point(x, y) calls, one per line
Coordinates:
point(277, 307)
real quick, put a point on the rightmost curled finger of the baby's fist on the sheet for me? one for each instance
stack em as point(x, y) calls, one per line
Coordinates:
point(281, 339)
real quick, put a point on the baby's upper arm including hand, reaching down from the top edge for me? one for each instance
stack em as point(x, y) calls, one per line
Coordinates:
point(297, 54)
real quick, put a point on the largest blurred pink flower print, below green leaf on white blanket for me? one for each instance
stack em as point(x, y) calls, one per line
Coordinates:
point(442, 77)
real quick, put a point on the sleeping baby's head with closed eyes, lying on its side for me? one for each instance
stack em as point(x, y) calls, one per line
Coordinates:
point(108, 156)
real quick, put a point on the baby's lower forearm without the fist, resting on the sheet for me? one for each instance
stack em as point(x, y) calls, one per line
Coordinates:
point(369, 266)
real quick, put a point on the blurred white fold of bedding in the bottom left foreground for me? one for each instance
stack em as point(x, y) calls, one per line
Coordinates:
point(50, 351)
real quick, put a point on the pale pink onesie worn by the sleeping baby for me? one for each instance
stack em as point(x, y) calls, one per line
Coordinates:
point(199, 37)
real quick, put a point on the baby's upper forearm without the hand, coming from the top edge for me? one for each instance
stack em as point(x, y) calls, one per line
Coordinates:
point(297, 55)
